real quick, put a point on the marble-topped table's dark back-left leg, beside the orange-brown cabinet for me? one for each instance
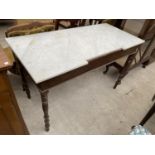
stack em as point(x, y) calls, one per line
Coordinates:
point(24, 82)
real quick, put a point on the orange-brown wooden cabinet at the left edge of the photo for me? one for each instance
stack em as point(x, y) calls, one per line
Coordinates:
point(11, 121)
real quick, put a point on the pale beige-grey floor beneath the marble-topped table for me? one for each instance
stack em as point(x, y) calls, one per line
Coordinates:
point(88, 105)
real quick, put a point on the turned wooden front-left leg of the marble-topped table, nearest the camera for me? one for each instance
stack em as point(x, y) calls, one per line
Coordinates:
point(44, 99)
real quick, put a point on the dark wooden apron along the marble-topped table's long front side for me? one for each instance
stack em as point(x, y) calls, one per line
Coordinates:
point(92, 64)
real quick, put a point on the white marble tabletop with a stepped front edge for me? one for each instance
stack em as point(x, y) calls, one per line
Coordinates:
point(50, 54)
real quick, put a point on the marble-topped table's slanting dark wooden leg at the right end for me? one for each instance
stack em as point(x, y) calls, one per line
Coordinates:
point(125, 69)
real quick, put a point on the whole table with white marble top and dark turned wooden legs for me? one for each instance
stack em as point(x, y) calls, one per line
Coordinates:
point(54, 57)
